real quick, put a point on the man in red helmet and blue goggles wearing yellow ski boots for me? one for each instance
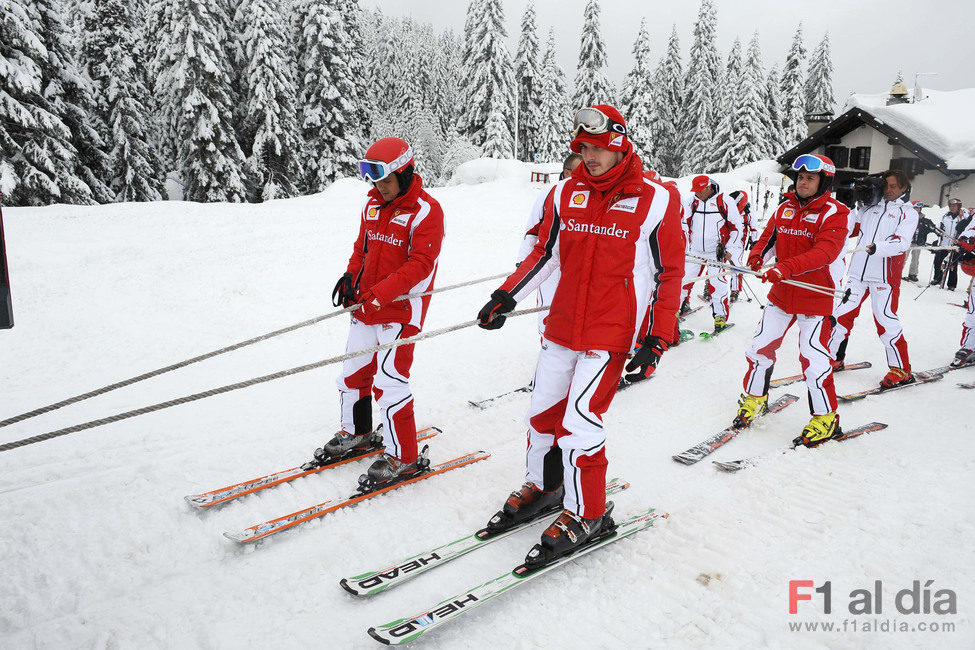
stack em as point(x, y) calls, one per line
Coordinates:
point(805, 235)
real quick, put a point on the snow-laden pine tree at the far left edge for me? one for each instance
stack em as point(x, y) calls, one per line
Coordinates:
point(36, 157)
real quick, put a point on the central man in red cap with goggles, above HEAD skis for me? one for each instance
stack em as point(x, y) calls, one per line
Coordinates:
point(616, 238)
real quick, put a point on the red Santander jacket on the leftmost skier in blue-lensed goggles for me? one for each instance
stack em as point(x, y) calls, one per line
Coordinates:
point(396, 253)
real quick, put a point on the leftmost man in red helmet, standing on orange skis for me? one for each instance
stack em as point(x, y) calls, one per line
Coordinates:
point(400, 233)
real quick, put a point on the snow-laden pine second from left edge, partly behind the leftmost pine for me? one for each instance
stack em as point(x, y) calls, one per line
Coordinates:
point(67, 93)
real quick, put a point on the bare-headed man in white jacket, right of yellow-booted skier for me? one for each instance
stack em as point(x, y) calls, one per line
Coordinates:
point(885, 231)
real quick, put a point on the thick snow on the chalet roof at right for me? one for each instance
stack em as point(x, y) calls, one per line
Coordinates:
point(940, 122)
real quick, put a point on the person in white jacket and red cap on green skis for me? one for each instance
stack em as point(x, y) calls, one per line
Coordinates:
point(715, 230)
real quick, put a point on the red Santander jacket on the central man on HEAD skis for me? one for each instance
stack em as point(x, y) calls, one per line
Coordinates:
point(620, 253)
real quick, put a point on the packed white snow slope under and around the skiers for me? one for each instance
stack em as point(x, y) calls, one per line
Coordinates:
point(99, 550)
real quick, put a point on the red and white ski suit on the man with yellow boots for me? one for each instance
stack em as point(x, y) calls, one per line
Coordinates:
point(806, 240)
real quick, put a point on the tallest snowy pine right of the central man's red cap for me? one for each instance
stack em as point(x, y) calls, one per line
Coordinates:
point(703, 71)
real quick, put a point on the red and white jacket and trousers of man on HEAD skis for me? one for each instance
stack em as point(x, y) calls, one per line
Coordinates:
point(620, 251)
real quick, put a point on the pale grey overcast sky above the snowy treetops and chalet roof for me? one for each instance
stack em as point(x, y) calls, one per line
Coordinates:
point(871, 39)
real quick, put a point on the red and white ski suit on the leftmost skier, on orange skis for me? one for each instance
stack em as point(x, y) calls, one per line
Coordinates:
point(396, 253)
